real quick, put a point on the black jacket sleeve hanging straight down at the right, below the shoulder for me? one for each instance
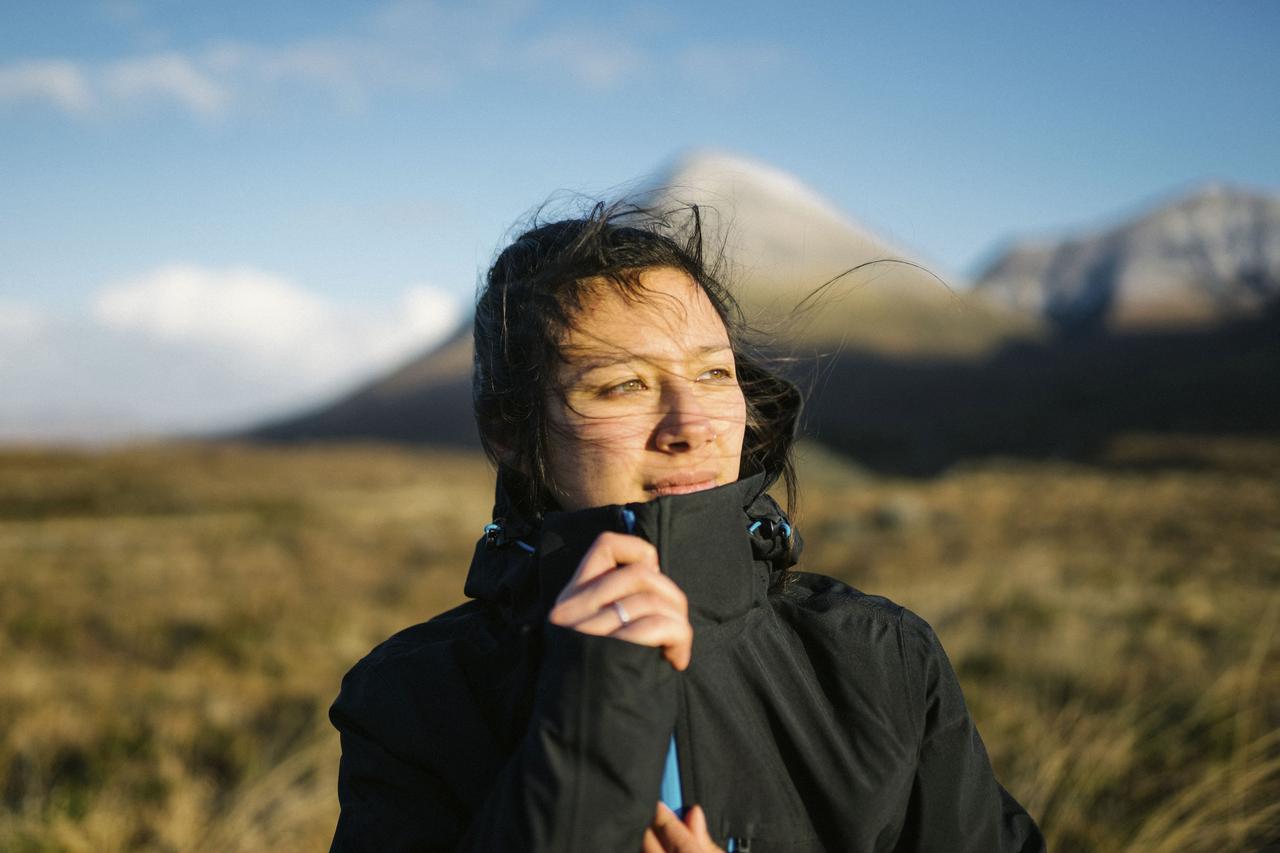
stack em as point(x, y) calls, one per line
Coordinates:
point(957, 805)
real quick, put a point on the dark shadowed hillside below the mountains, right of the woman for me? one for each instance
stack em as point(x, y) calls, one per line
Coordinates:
point(1062, 399)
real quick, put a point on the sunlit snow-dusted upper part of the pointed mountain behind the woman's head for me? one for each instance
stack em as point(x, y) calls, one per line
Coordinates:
point(810, 275)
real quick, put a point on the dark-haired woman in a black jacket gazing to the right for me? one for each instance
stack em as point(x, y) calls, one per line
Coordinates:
point(636, 630)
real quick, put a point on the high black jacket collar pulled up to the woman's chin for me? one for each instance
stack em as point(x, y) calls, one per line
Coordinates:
point(708, 542)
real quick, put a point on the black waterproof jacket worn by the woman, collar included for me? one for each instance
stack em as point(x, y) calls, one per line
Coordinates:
point(813, 718)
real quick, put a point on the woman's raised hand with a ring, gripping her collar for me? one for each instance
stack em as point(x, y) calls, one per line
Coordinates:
point(619, 591)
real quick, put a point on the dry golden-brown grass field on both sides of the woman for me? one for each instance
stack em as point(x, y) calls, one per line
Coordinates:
point(175, 622)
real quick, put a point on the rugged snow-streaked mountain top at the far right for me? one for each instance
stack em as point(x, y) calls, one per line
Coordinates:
point(1203, 259)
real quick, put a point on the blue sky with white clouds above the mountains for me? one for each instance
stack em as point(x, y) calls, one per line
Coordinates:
point(362, 161)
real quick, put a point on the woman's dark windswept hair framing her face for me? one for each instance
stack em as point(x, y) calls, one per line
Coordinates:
point(538, 286)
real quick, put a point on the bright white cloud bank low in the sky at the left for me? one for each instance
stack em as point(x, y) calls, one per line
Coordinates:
point(186, 348)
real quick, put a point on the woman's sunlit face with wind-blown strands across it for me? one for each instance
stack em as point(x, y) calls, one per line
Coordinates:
point(651, 398)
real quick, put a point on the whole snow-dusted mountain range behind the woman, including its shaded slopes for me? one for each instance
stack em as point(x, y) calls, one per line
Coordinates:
point(909, 377)
